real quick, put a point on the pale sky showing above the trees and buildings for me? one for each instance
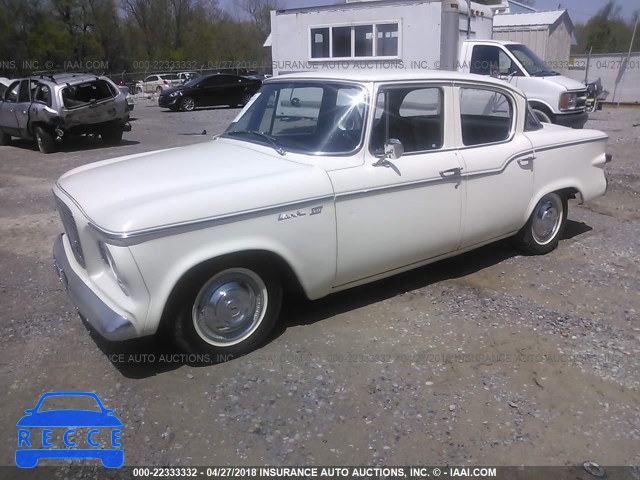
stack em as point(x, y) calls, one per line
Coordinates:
point(579, 10)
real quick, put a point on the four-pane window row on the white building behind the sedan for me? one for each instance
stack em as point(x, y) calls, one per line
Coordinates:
point(356, 41)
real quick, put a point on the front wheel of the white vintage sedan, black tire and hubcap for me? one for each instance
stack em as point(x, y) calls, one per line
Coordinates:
point(229, 330)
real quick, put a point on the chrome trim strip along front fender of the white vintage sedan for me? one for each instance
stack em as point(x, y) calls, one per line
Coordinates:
point(139, 236)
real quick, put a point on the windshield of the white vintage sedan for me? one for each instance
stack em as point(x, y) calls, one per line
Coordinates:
point(316, 118)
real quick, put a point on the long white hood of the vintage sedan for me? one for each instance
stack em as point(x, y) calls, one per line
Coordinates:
point(206, 180)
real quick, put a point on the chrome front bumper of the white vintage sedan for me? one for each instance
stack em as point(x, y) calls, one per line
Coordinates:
point(101, 317)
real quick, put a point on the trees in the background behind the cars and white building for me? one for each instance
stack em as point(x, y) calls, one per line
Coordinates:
point(151, 35)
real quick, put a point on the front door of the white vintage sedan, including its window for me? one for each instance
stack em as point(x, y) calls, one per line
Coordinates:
point(393, 215)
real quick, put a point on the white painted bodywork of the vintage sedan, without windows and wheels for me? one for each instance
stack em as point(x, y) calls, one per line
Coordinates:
point(162, 213)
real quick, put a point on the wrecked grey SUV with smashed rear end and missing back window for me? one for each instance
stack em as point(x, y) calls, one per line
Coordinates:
point(48, 109)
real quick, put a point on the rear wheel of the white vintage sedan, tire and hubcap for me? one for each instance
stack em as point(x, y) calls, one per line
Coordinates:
point(545, 226)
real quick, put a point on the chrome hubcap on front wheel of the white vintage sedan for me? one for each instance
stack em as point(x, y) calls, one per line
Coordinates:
point(230, 306)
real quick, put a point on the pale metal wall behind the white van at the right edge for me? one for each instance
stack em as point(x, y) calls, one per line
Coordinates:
point(615, 75)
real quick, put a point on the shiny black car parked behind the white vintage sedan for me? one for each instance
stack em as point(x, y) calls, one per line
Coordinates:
point(211, 90)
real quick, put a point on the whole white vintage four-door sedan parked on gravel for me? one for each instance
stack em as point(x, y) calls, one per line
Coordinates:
point(322, 183)
